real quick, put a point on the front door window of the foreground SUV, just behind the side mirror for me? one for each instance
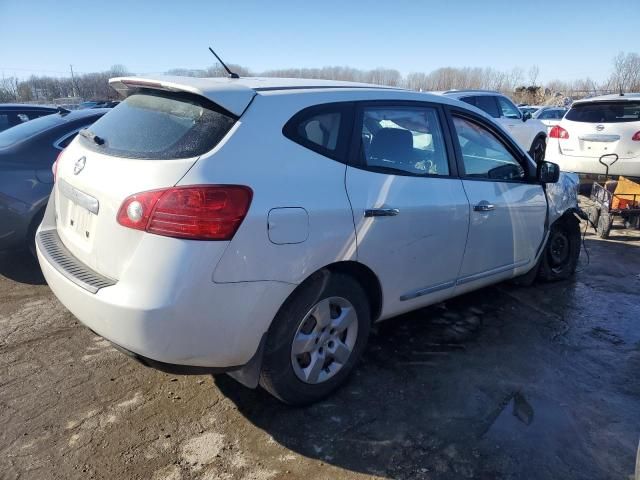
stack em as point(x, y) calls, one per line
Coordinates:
point(484, 155)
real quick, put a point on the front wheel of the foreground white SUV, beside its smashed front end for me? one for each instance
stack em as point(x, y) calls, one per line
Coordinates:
point(560, 257)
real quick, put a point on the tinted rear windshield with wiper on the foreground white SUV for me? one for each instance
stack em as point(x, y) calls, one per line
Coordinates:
point(160, 125)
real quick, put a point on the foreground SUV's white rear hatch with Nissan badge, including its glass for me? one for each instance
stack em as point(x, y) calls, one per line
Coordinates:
point(149, 141)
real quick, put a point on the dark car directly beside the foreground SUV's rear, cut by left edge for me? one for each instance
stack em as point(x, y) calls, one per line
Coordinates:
point(27, 153)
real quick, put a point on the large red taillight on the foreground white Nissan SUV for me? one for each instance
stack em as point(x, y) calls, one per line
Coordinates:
point(203, 212)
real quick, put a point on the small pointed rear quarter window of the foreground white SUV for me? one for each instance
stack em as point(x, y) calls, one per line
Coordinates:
point(318, 128)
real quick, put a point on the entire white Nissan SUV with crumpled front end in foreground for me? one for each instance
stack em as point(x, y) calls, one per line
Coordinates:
point(260, 226)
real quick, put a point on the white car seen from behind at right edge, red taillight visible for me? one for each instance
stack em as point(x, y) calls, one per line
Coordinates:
point(606, 125)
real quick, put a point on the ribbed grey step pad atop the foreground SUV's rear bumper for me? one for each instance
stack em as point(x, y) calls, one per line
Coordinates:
point(60, 258)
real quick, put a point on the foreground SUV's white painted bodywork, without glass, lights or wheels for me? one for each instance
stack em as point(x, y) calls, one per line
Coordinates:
point(209, 303)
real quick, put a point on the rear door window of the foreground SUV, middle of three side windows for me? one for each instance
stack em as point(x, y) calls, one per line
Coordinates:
point(403, 140)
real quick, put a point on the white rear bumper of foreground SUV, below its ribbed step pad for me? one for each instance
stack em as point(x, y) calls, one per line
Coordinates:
point(203, 324)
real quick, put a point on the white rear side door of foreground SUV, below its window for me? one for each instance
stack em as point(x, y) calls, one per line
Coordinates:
point(417, 253)
